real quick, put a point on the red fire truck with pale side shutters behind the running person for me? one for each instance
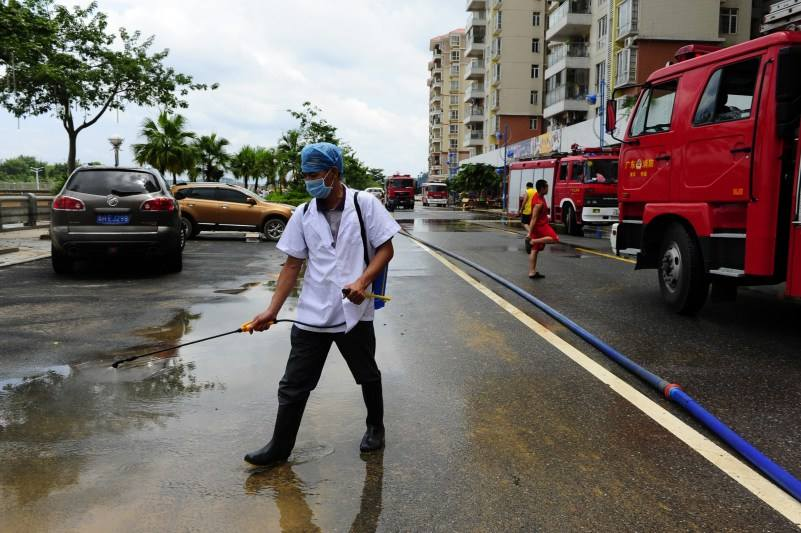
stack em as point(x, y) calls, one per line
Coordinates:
point(583, 186)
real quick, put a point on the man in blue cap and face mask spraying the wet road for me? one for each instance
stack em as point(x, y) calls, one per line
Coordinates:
point(335, 234)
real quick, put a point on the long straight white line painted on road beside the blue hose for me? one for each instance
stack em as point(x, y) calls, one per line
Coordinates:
point(739, 471)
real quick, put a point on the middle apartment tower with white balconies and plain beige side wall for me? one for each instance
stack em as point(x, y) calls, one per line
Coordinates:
point(506, 51)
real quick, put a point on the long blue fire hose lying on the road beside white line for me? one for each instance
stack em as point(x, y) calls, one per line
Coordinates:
point(671, 391)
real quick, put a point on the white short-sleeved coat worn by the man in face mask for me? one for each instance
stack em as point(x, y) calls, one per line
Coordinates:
point(328, 268)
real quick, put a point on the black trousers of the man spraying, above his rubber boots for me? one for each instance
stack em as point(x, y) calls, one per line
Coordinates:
point(309, 352)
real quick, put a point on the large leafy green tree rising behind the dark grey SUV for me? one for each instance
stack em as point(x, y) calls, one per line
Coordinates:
point(67, 63)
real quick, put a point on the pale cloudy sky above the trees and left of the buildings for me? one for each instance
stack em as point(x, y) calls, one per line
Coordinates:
point(364, 62)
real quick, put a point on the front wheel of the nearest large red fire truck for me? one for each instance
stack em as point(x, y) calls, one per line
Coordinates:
point(682, 278)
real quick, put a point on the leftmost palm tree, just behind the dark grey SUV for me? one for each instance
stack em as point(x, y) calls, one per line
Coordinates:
point(166, 144)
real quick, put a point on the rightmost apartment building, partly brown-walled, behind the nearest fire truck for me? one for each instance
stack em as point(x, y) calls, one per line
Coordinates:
point(607, 44)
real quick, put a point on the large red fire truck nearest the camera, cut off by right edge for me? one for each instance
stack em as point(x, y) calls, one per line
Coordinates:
point(709, 171)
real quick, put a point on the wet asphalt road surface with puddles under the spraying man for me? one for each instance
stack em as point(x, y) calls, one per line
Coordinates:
point(489, 428)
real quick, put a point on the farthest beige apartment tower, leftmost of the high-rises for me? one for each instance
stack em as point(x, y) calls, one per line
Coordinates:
point(446, 105)
